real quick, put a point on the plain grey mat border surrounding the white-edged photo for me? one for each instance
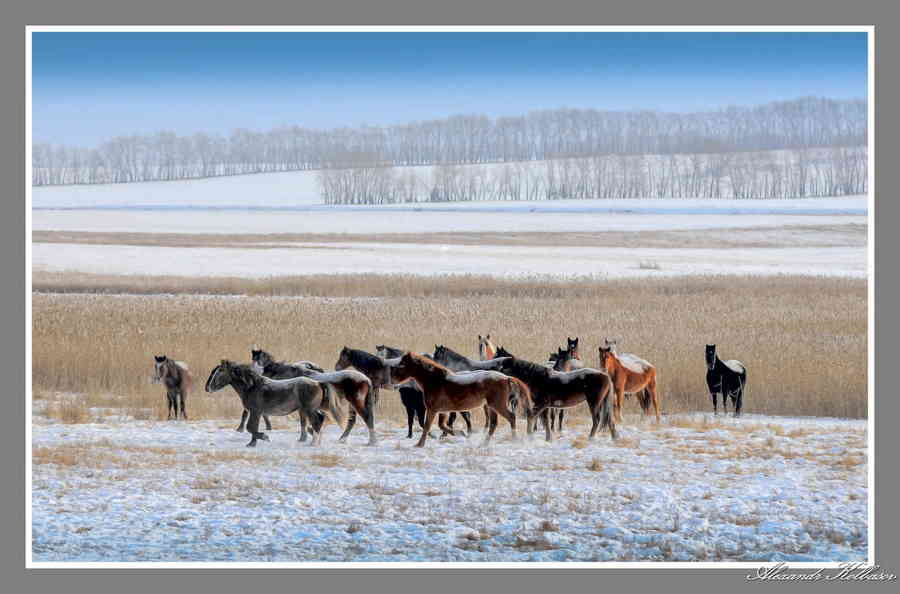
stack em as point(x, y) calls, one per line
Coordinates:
point(882, 14)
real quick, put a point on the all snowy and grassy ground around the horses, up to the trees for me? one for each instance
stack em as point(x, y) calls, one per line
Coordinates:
point(134, 276)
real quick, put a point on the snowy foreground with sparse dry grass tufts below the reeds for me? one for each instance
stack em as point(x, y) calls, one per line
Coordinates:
point(693, 488)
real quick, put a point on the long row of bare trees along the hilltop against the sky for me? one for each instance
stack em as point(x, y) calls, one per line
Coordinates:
point(561, 136)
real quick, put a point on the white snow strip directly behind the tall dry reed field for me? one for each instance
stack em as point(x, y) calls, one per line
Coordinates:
point(436, 259)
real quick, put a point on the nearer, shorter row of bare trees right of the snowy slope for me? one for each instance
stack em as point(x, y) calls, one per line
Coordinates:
point(765, 174)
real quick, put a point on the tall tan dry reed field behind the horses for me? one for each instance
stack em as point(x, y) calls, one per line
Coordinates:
point(803, 339)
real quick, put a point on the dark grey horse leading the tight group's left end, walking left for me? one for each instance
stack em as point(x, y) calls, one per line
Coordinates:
point(264, 396)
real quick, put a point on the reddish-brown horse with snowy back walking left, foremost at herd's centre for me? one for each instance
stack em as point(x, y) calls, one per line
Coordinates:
point(446, 391)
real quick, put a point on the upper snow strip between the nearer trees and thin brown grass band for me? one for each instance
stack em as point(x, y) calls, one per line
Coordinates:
point(561, 215)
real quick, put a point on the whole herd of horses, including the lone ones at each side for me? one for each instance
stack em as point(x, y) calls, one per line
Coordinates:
point(440, 385)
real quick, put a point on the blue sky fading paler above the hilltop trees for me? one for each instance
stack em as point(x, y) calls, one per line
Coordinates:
point(88, 87)
